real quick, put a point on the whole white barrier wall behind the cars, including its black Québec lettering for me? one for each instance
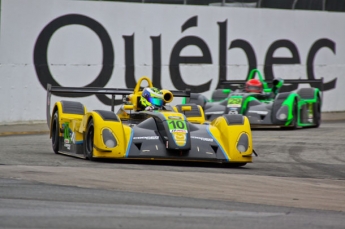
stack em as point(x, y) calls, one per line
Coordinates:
point(110, 44)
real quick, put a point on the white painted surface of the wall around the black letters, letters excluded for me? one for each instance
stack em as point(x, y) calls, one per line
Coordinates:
point(75, 52)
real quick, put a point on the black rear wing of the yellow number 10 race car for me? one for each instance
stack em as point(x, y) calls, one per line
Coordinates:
point(87, 91)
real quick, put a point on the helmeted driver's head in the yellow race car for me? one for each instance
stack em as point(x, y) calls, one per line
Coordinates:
point(151, 99)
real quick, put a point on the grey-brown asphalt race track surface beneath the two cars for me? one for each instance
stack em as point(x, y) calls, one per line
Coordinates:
point(298, 180)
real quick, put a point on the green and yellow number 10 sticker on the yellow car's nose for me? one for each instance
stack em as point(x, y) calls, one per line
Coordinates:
point(178, 129)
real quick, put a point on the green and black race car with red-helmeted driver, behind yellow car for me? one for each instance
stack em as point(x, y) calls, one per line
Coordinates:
point(264, 103)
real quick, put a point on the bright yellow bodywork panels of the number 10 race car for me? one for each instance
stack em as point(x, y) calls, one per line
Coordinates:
point(227, 136)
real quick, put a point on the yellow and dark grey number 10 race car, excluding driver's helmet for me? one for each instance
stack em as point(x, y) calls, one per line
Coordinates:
point(172, 133)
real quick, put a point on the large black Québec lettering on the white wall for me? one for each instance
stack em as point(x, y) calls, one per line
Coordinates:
point(44, 74)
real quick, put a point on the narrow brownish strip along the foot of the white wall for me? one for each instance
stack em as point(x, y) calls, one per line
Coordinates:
point(42, 127)
